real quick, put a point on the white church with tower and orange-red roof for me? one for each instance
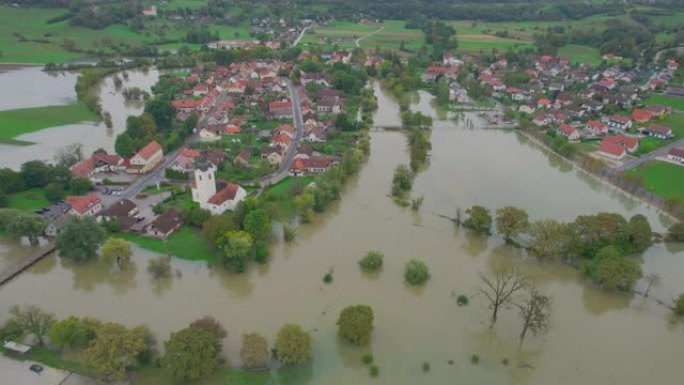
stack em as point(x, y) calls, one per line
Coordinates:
point(217, 197)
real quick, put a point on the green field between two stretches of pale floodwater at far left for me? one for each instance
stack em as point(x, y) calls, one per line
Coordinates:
point(16, 122)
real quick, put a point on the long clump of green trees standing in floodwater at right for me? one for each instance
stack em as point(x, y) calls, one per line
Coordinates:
point(604, 241)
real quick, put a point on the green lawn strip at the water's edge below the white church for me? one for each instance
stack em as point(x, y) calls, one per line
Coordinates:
point(186, 243)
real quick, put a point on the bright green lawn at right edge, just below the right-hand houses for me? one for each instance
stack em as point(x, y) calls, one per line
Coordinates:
point(662, 178)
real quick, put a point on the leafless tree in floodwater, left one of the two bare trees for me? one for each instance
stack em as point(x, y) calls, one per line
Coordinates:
point(500, 286)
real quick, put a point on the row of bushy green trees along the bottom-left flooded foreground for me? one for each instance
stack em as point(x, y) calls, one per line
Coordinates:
point(111, 350)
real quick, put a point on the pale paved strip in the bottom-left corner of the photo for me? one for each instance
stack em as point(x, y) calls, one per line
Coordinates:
point(17, 373)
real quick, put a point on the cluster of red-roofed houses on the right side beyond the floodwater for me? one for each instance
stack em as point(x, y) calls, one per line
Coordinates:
point(551, 99)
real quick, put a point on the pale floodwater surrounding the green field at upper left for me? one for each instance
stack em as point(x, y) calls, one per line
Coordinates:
point(49, 89)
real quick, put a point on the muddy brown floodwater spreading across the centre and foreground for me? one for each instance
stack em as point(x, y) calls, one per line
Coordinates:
point(595, 338)
